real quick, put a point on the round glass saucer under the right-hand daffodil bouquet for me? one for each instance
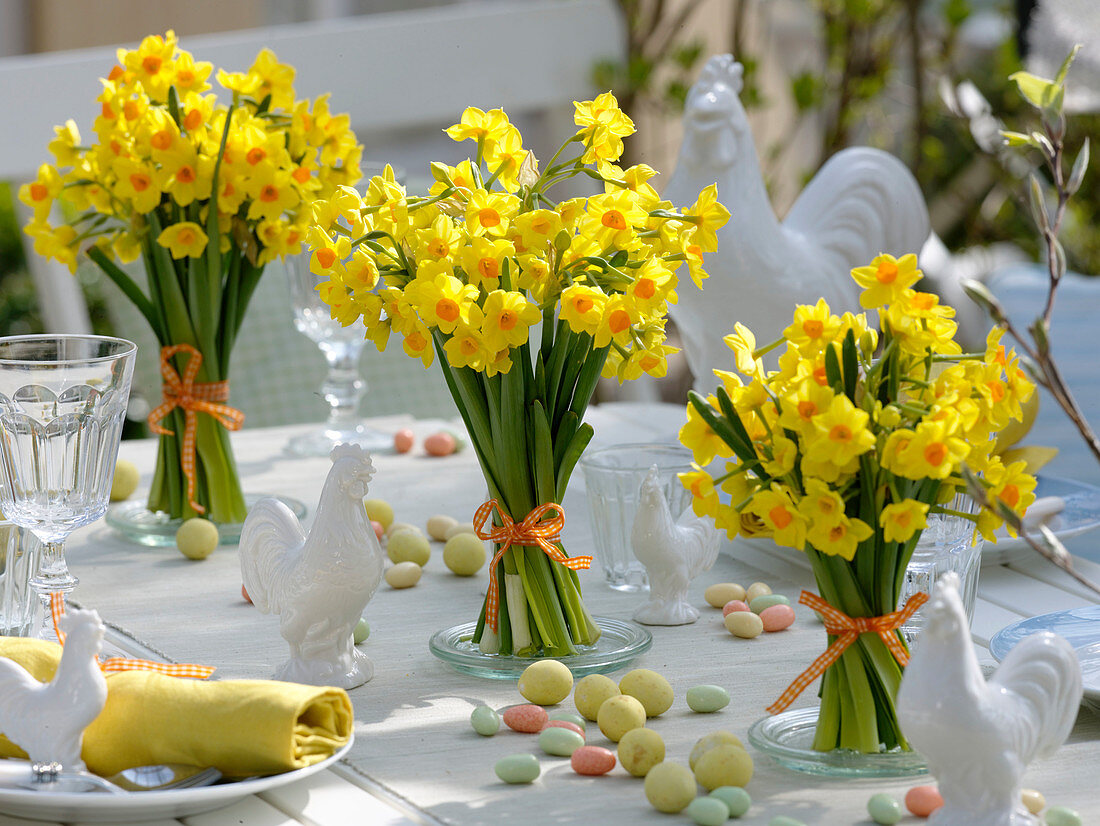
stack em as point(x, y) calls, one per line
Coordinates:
point(788, 739)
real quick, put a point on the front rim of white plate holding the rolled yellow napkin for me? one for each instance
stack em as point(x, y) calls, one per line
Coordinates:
point(137, 807)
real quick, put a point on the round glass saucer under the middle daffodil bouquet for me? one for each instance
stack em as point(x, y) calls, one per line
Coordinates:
point(620, 643)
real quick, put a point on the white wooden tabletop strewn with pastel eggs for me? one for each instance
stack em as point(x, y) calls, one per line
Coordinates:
point(416, 759)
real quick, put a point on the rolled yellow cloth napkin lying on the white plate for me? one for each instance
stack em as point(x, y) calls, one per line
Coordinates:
point(241, 728)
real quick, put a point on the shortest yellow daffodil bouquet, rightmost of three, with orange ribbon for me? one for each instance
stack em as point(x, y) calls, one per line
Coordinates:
point(843, 453)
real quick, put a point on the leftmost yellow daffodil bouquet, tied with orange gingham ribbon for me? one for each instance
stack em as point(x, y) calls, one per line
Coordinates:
point(206, 195)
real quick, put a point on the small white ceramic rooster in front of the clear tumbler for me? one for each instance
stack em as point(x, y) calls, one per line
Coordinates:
point(674, 554)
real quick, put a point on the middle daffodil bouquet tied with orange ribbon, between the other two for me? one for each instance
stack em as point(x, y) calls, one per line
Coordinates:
point(526, 302)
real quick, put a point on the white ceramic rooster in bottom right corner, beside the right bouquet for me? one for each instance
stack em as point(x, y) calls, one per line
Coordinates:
point(977, 736)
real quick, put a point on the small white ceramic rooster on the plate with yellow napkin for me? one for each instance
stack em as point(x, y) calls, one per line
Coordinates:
point(48, 720)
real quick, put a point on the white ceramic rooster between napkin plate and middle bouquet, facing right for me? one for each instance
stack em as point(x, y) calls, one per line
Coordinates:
point(318, 585)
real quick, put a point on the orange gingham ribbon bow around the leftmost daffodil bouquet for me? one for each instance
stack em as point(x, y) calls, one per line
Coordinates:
point(194, 398)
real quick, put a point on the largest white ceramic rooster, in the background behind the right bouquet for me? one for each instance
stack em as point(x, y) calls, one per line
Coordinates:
point(863, 203)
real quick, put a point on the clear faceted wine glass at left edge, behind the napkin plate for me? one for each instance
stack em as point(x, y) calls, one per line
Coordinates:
point(63, 402)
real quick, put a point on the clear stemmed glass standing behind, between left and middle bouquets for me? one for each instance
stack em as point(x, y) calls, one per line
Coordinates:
point(344, 388)
